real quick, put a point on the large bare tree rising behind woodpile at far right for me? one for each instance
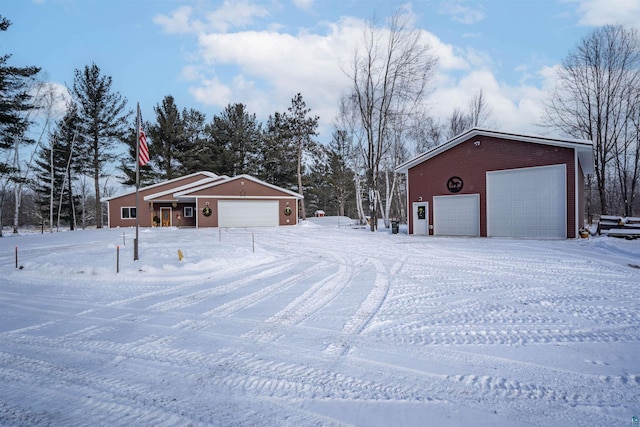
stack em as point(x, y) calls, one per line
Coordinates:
point(596, 96)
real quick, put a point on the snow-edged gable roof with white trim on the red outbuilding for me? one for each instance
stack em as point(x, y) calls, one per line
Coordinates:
point(584, 148)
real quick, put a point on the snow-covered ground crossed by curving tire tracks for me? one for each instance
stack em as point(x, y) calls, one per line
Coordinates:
point(317, 324)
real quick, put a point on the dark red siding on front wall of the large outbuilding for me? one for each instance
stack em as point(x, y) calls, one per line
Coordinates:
point(470, 161)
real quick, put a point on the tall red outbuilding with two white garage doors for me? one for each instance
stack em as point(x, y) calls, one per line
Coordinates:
point(498, 184)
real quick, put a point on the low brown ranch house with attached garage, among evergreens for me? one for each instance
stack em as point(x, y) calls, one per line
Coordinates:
point(204, 199)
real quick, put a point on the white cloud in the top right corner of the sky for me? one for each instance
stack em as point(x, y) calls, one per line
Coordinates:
point(602, 12)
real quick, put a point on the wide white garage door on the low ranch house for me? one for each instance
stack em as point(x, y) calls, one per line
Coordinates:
point(248, 213)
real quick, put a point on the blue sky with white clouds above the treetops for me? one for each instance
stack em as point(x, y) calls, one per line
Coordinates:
point(207, 54)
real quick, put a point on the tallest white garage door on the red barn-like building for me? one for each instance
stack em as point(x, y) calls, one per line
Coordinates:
point(530, 202)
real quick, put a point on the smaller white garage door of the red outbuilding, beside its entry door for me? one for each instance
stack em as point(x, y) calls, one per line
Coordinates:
point(456, 215)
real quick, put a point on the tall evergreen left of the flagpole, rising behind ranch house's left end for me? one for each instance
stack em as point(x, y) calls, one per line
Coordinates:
point(102, 123)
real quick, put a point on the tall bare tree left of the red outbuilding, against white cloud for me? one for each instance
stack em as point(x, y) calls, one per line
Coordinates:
point(389, 75)
